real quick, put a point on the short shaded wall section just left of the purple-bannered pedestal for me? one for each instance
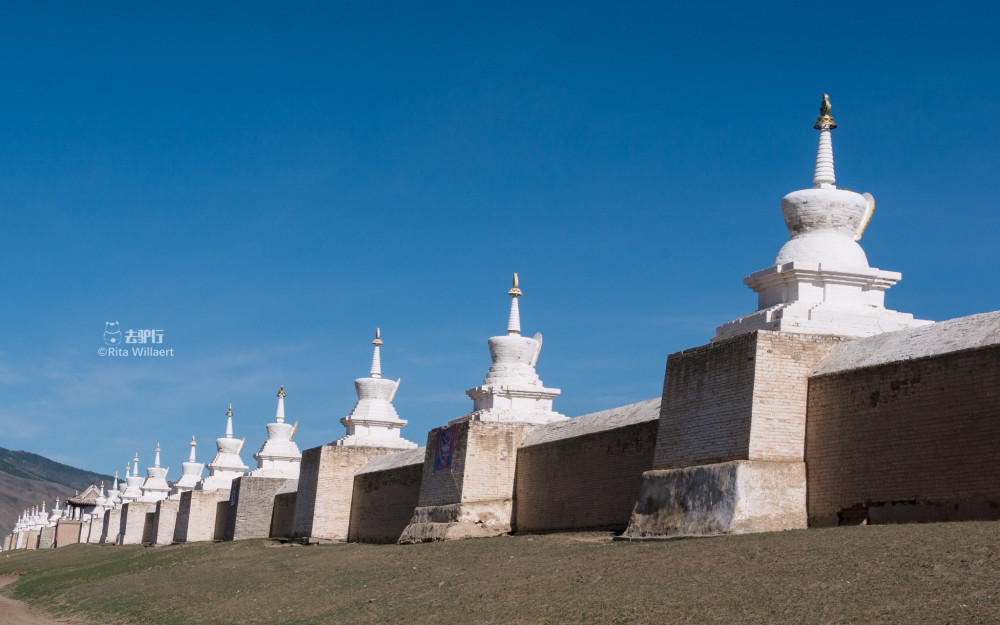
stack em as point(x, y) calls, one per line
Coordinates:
point(385, 494)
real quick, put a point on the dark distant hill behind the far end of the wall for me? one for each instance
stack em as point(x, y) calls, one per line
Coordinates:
point(27, 479)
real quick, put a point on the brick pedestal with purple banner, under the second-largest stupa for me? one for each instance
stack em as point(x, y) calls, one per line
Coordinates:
point(473, 498)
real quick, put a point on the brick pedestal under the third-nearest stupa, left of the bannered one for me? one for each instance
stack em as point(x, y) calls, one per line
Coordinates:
point(326, 483)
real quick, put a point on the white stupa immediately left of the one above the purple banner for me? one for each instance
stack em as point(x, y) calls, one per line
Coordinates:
point(374, 422)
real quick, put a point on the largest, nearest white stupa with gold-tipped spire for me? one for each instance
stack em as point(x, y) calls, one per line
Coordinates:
point(821, 282)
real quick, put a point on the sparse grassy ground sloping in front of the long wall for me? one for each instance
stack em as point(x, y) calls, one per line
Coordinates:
point(934, 573)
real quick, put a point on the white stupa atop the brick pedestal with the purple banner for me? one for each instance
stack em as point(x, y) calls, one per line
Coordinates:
point(512, 391)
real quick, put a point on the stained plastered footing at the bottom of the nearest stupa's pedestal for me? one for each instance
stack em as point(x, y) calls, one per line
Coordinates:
point(739, 497)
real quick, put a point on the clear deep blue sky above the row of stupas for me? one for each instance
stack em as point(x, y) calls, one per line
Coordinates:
point(266, 183)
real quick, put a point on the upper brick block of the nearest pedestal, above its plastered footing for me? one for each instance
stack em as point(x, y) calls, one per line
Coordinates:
point(742, 398)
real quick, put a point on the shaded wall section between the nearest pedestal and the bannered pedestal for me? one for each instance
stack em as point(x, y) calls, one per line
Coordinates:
point(585, 472)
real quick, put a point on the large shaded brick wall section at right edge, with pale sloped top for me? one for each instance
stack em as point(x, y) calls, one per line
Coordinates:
point(903, 426)
